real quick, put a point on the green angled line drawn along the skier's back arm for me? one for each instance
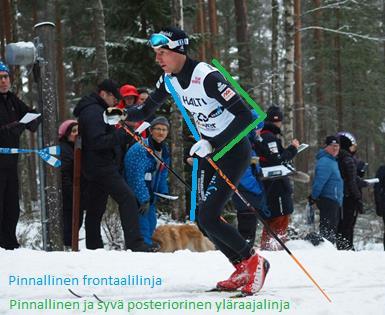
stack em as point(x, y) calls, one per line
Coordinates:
point(249, 100)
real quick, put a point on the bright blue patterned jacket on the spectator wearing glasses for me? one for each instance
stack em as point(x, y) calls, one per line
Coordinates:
point(137, 163)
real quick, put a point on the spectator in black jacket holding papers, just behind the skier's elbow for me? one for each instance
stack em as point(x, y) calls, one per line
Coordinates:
point(278, 190)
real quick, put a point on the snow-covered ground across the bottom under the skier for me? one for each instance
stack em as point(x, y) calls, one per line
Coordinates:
point(355, 281)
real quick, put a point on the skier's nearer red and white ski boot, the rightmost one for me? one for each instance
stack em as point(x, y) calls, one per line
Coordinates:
point(256, 268)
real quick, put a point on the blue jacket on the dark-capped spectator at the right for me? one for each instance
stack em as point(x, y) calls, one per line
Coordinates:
point(327, 182)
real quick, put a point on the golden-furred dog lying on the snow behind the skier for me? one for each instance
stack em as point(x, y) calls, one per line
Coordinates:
point(172, 237)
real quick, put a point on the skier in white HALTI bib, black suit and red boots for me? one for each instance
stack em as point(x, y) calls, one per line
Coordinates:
point(220, 115)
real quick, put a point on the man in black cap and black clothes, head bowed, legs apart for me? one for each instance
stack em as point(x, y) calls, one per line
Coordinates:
point(100, 166)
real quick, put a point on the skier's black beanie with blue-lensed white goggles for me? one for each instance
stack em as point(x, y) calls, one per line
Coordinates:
point(175, 35)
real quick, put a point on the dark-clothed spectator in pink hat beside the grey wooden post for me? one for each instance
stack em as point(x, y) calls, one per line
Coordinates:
point(68, 131)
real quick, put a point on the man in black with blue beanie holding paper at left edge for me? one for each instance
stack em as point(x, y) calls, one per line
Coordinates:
point(12, 109)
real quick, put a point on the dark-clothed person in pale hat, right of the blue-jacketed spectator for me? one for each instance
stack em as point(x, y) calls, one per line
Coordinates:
point(352, 201)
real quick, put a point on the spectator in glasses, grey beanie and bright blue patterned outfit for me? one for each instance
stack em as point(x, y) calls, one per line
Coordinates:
point(145, 175)
